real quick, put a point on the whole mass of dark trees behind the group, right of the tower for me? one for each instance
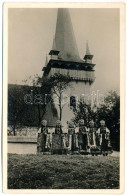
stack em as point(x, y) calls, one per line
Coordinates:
point(108, 111)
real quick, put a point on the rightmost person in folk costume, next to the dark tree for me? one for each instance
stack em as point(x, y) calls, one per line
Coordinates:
point(104, 136)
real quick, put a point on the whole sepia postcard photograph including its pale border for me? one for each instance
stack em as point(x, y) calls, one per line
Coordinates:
point(63, 120)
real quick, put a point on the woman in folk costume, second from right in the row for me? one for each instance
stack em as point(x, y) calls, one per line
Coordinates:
point(92, 134)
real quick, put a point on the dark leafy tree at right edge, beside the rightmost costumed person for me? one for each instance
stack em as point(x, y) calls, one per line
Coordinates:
point(110, 112)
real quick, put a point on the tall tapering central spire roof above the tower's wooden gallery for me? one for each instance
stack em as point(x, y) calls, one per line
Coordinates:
point(64, 37)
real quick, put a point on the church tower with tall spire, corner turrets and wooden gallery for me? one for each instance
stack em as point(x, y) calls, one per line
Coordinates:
point(65, 59)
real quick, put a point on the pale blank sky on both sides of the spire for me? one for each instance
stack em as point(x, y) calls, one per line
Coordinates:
point(30, 38)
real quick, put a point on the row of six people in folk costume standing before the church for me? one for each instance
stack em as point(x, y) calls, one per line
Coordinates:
point(87, 140)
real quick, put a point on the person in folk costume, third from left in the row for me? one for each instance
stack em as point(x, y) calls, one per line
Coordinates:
point(71, 136)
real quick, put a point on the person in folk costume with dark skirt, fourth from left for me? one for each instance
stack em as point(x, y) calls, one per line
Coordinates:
point(83, 136)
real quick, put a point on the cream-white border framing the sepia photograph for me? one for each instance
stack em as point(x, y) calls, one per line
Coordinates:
point(122, 88)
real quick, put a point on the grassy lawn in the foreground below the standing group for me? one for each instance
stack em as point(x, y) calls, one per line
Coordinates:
point(62, 172)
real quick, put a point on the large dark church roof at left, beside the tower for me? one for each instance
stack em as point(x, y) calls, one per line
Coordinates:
point(19, 112)
